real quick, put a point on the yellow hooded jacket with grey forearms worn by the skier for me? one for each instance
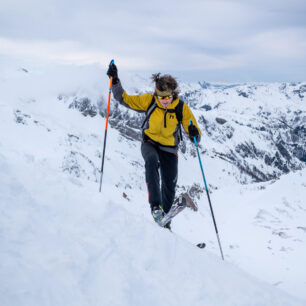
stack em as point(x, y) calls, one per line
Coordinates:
point(155, 127)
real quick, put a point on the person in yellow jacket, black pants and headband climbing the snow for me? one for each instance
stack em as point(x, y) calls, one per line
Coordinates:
point(161, 135)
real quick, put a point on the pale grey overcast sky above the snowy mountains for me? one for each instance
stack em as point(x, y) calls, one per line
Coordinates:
point(196, 40)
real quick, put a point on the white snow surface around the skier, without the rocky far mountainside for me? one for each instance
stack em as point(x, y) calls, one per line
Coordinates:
point(63, 243)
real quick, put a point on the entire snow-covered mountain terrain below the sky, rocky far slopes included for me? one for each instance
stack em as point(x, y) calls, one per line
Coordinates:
point(64, 243)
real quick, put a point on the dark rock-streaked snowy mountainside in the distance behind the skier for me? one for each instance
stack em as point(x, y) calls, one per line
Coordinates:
point(261, 139)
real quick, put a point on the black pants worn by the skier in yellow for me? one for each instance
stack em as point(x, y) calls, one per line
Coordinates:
point(158, 164)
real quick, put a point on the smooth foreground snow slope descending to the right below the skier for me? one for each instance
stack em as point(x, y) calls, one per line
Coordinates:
point(64, 252)
